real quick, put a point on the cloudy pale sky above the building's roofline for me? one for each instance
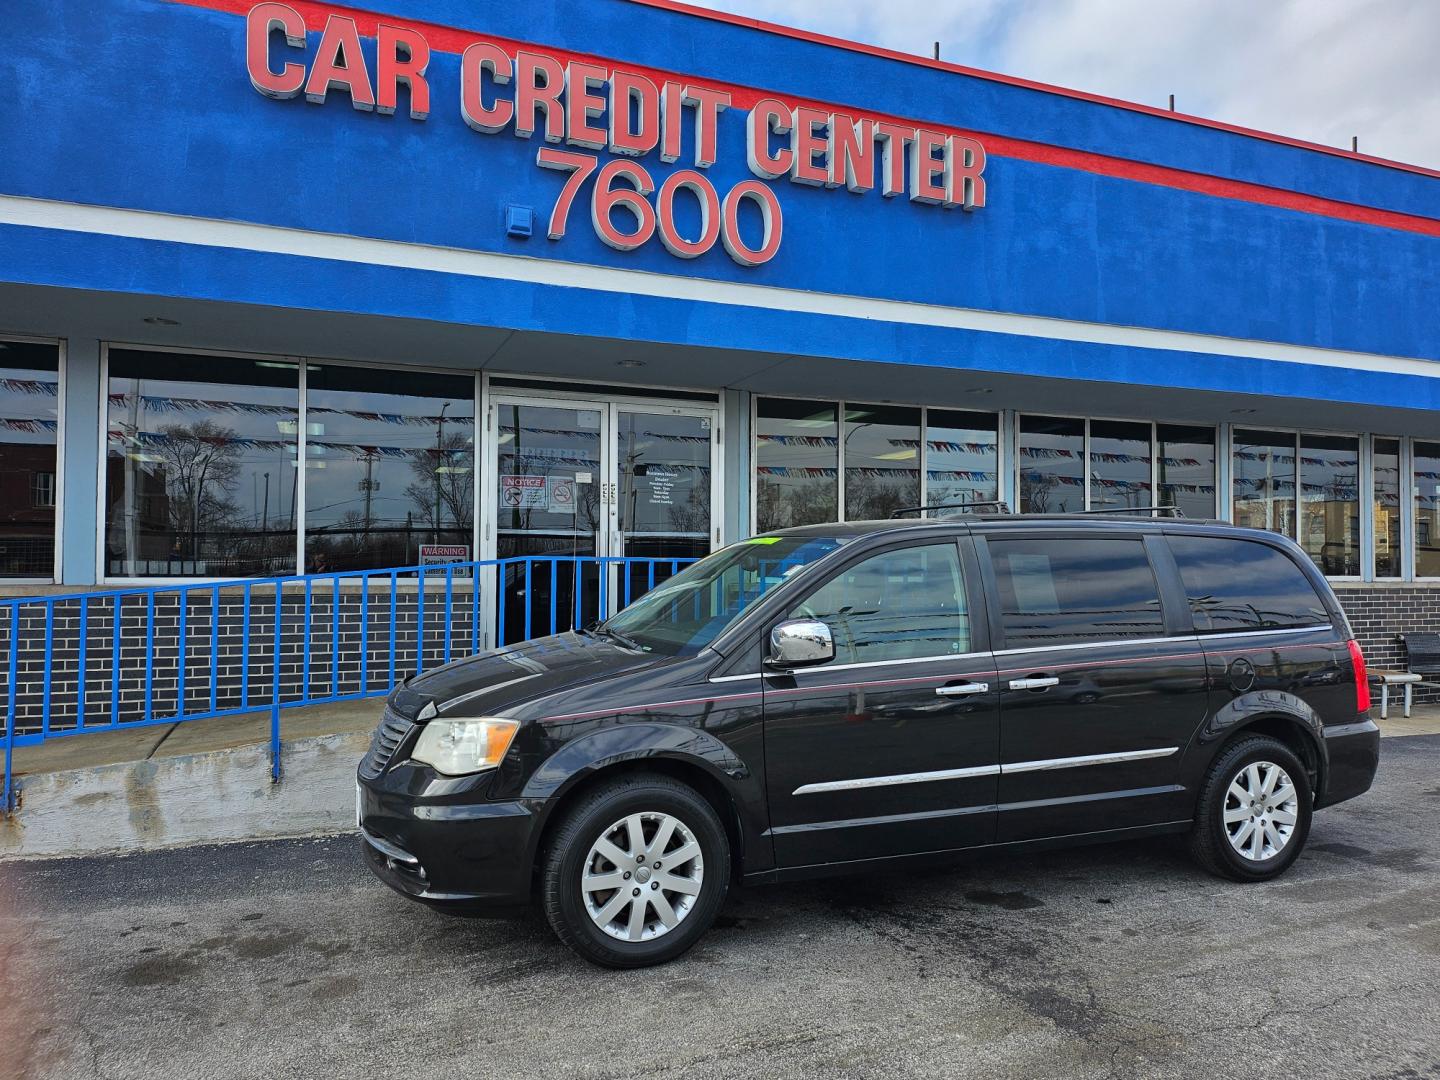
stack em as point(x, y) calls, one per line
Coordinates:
point(1315, 70)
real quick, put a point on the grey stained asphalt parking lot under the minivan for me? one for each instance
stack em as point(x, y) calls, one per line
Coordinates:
point(287, 960)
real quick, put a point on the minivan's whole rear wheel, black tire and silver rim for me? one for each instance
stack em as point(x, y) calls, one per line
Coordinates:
point(1255, 811)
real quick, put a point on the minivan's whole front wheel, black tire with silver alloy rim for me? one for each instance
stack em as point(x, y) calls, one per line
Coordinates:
point(636, 872)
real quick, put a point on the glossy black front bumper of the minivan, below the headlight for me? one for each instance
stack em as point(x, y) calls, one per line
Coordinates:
point(447, 849)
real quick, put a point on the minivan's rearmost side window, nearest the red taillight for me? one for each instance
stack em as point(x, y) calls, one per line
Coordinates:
point(1236, 585)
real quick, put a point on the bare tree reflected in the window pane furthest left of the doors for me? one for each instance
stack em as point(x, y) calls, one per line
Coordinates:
point(202, 467)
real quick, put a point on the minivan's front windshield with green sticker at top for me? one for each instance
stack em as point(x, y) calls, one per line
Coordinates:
point(690, 610)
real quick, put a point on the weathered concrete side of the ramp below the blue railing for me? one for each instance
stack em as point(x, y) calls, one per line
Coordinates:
point(204, 798)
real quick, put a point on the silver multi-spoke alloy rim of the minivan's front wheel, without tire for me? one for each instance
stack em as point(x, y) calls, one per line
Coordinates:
point(643, 876)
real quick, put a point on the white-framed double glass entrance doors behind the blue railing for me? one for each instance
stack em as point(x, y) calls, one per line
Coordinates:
point(578, 486)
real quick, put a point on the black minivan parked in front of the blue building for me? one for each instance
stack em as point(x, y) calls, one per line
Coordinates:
point(849, 696)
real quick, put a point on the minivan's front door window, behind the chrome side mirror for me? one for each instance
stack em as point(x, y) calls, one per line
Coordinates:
point(896, 606)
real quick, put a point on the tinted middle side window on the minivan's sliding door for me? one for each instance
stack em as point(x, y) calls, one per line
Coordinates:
point(1061, 591)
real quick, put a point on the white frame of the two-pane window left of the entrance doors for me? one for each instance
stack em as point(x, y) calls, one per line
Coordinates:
point(303, 364)
